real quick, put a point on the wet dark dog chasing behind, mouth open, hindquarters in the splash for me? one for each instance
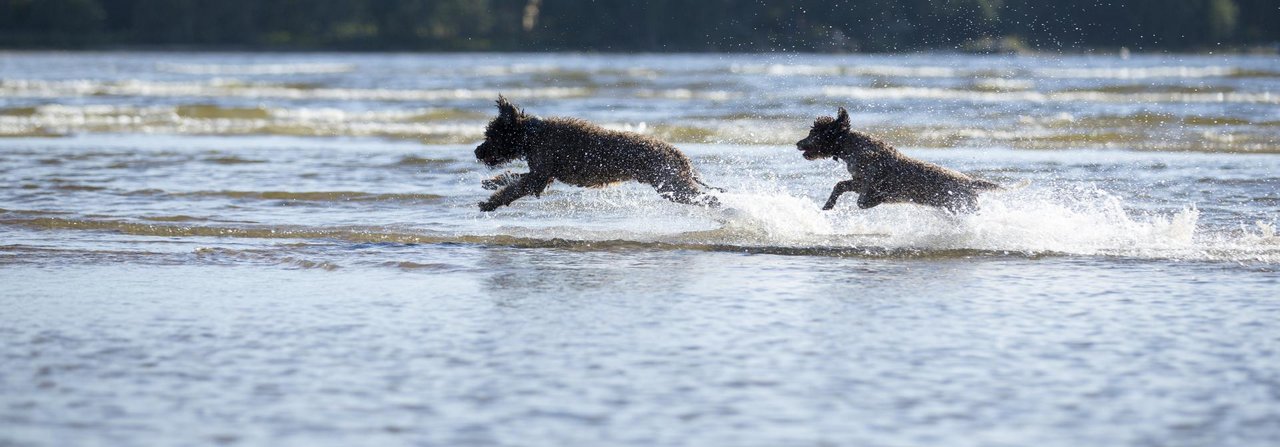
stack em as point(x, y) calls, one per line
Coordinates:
point(885, 176)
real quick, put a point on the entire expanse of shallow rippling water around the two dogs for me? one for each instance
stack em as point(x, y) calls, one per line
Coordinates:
point(264, 249)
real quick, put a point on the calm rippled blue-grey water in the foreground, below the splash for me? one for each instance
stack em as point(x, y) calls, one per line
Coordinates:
point(519, 346)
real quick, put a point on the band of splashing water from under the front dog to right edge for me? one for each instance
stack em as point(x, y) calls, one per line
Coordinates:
point(1068, 221)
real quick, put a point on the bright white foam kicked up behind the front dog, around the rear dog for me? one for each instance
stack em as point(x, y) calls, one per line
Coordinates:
point(1080, 221)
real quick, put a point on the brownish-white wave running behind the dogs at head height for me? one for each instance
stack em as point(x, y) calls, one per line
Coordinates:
point(1141, 130)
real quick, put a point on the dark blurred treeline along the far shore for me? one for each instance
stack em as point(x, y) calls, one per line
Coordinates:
point(641, 25)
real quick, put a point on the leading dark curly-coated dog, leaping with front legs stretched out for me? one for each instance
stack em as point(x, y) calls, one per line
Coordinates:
point(582, 154)
